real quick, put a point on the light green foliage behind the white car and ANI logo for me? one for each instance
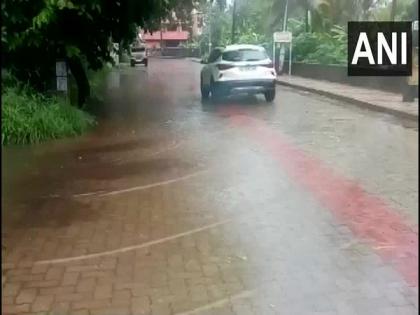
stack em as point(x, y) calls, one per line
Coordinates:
point(318, 27)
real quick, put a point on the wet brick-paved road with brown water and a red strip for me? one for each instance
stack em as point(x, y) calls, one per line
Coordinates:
point(172, 206)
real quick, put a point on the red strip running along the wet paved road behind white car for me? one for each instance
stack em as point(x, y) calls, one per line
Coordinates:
point(368, 216)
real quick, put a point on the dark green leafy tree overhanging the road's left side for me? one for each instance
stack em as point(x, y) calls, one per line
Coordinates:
point(36, 33)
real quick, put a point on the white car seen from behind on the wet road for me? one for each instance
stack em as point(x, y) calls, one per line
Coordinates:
point(238, 69)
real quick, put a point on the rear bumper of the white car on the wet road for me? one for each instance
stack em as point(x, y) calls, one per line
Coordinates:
point(245, 86)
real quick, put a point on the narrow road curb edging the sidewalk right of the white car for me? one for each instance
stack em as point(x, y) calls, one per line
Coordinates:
point(359, 103)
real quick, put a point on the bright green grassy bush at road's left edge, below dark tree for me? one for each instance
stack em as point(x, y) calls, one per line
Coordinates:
point(30, 117)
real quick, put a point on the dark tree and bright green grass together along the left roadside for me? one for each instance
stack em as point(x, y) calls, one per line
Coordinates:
point(37, 33)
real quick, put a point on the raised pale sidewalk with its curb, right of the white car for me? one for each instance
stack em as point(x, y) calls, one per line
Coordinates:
point(368, 98)
